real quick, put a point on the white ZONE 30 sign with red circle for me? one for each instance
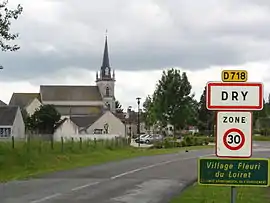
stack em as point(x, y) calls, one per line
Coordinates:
point(234, 134)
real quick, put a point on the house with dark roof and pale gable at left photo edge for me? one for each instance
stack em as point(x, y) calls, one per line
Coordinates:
point(11, 122)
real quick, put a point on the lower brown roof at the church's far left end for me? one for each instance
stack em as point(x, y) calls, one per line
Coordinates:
point(23, 99)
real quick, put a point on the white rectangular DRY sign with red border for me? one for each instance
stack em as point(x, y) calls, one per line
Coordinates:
point(234, 96)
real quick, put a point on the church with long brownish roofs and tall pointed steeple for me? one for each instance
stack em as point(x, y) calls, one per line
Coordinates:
point(70, 100)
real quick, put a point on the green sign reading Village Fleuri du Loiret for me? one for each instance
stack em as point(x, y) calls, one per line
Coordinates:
point(233, 172)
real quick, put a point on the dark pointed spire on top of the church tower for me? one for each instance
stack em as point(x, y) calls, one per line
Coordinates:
point(105, 70)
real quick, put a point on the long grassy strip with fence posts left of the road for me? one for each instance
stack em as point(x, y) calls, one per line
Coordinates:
point(36, 158)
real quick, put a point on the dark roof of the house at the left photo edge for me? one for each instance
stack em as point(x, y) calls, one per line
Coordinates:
point(7, 114)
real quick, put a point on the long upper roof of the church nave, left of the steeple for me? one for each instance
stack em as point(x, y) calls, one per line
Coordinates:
point(69, 93)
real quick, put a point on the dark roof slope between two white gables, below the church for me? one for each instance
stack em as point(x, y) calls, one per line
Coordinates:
point(85, 121)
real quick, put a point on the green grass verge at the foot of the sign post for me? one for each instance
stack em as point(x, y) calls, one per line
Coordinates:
point(217, 194)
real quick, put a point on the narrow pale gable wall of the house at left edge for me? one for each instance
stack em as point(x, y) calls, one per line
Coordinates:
point(18, 128)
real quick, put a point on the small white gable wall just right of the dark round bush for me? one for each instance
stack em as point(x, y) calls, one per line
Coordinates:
point(67, 130)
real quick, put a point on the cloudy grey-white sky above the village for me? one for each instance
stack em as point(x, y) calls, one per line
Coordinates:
point(62, 42)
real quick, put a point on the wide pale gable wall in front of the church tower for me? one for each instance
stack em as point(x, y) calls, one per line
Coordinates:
point(115, 125)
